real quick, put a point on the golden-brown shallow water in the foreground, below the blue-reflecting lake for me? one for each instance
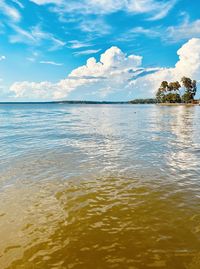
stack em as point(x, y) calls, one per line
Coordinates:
point(99, 223)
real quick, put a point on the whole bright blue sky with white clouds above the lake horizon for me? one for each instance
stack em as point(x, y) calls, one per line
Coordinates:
point(96, 49)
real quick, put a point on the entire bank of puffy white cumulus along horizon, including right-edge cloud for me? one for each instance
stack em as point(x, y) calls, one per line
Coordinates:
point(116, 72)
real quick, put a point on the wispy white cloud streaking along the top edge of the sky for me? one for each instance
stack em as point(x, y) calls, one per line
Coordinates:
point(149, 7)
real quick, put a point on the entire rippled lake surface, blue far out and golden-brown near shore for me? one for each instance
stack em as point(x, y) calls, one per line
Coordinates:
point(99, 186)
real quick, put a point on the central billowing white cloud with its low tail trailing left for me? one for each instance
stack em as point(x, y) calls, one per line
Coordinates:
point(112, 70)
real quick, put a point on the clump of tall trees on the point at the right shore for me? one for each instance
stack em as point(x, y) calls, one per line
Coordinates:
point(170, 92)
